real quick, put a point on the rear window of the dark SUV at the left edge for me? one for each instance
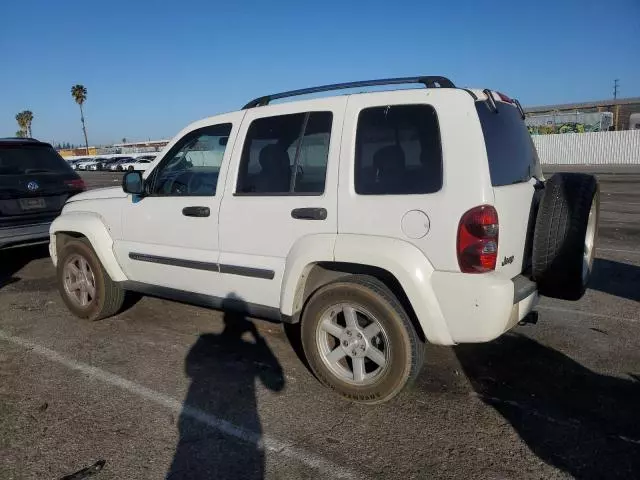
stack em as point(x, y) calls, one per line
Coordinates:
point(27, 159)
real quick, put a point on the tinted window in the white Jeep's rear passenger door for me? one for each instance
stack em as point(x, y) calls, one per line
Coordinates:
point(286, 154)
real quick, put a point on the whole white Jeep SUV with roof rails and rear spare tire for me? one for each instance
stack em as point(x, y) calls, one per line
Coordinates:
point(379, 221)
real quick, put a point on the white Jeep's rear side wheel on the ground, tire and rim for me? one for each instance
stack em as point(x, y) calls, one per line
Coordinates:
point(359, 341)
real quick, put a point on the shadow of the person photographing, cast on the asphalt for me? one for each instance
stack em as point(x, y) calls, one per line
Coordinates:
point(224, 369)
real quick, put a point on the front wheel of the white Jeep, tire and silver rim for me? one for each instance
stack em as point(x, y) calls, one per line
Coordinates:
point(85, 286)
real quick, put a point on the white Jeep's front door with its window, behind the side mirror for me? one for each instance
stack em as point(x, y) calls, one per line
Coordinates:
point(170, 235)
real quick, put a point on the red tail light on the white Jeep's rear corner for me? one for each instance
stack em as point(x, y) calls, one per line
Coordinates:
point(477, 245)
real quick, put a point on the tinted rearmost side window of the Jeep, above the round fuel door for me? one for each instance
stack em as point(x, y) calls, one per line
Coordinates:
point(398, 151)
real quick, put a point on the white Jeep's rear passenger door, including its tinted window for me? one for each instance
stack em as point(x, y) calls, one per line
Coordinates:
point(284, 165)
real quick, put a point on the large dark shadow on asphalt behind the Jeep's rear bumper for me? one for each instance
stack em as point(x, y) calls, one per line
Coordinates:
point(577, 420)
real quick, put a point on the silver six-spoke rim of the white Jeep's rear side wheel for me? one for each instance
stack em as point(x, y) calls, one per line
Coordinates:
point(353, 344)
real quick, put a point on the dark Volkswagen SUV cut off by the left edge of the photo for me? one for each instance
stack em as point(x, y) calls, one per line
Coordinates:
point(35, 182)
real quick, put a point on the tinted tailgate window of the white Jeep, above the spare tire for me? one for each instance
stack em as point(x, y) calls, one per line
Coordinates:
point(512, 156)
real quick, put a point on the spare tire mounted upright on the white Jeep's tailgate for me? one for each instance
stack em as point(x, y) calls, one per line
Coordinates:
point(565, 234)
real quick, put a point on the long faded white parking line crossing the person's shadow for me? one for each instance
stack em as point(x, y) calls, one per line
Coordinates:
point(266, 442)
